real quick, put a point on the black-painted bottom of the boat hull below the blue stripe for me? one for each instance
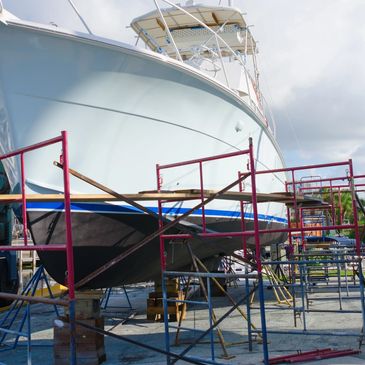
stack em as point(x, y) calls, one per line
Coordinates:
point(99, 237)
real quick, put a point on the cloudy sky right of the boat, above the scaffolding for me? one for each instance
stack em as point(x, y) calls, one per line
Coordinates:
point(312, 59)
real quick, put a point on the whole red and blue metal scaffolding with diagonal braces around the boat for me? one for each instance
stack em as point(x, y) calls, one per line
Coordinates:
point(292, 200)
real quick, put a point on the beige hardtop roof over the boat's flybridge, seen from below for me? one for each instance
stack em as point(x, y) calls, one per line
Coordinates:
point(189, 28)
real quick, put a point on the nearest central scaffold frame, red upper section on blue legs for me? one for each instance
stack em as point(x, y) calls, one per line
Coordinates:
point(249, 153)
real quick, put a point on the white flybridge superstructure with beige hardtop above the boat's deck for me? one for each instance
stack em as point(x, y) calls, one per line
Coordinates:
point(216, 40)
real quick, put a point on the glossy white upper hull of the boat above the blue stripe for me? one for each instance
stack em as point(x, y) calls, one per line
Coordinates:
point(125, 110)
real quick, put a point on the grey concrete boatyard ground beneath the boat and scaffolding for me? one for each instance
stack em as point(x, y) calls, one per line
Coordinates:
point(234, 330)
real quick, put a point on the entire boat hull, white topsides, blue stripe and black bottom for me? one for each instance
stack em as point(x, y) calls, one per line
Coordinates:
point(125, 110)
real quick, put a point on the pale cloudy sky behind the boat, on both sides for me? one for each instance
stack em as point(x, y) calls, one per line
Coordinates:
point(311, 63)
